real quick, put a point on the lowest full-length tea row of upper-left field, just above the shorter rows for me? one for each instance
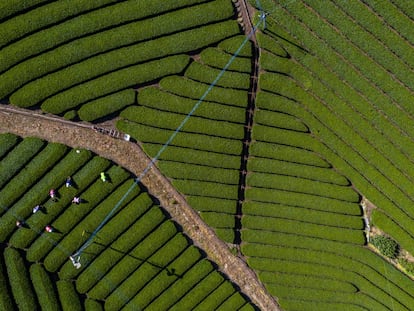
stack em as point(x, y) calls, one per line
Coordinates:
point(104, 63)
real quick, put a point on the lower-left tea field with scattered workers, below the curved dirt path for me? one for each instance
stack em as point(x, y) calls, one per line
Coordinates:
point(139, 260)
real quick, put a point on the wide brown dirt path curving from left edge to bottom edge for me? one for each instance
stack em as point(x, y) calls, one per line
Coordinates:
point(130, 156)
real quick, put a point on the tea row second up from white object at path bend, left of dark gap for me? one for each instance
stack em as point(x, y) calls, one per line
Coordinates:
point(170, 121)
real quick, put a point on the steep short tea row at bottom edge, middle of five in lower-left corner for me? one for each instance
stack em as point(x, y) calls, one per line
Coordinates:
point(43, 287)
